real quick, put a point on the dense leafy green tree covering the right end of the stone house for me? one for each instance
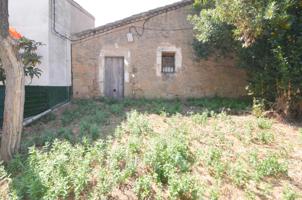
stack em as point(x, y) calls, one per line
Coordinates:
point(265, 36)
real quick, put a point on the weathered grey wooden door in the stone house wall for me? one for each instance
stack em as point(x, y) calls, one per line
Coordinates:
point(114, 77)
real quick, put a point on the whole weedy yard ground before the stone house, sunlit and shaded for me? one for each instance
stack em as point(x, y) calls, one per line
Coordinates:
point(155, 149)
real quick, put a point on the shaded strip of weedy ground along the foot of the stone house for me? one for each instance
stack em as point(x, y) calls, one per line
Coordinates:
point(98, 118)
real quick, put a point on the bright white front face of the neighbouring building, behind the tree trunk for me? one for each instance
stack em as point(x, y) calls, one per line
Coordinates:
point(31, 19)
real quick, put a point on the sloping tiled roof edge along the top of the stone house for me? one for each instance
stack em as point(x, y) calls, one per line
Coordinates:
point(132, 19)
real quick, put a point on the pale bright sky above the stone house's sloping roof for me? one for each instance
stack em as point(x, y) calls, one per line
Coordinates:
point(106, 11)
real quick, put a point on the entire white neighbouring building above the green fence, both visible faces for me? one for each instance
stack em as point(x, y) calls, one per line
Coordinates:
point(34, 19)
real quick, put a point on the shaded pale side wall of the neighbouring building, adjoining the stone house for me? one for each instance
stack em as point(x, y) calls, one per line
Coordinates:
point(70, 18)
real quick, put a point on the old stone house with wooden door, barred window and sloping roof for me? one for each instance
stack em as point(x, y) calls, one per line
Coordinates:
point(150, 55)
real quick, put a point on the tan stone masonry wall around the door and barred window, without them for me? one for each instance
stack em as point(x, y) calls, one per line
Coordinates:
point(143, 77)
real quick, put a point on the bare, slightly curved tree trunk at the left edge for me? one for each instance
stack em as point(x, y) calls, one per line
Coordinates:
point(14, 89)
